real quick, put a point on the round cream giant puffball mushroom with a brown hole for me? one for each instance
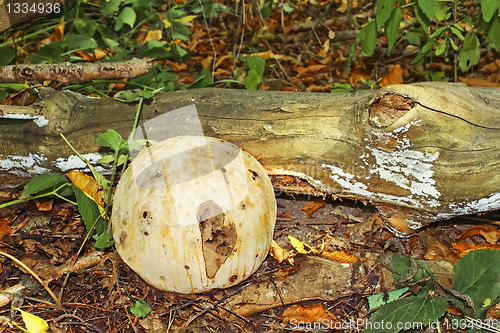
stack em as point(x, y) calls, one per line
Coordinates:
point(193, 213)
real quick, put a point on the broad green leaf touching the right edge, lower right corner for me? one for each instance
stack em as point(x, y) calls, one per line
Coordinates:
point(477, 275)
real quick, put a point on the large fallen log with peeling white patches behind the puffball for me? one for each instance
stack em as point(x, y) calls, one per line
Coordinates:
point(419, 153)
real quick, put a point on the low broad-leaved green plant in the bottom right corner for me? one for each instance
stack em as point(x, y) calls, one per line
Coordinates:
point(475, 289)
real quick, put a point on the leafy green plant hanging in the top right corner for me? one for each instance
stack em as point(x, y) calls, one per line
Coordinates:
point(437, 29)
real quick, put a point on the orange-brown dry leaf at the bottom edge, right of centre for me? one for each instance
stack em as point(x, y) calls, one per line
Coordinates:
point(297, 314)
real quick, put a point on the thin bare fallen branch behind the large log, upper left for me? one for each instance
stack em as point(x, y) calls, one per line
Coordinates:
point(69, 72)
